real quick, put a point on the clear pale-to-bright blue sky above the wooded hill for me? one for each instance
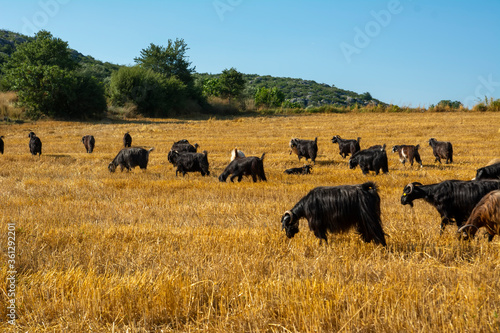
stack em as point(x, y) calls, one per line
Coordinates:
point(406, 52)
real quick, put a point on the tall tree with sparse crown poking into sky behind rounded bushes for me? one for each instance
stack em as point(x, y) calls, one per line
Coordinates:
point(169, 61)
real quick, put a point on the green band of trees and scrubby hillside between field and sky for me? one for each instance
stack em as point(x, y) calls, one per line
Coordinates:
point(162, 83)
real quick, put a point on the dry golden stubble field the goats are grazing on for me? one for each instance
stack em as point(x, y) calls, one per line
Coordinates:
point(146, 251)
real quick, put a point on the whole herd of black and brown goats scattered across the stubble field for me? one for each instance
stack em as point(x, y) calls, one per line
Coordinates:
point(470, 204)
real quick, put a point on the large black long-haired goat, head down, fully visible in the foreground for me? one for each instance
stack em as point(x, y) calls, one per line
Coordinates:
point(337, 209)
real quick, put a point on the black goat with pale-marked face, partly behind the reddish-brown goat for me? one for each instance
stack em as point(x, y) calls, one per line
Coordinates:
point(453, 199)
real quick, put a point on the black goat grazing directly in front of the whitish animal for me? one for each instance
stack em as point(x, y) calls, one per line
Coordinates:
point(245, 166)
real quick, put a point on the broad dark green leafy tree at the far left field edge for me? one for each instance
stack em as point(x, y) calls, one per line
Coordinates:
point(43, 74)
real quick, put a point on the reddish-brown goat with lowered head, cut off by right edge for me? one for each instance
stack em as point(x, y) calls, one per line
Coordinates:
point(485, 214)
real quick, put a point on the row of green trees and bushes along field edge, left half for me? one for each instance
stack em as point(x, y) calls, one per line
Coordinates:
point(51, 82)
